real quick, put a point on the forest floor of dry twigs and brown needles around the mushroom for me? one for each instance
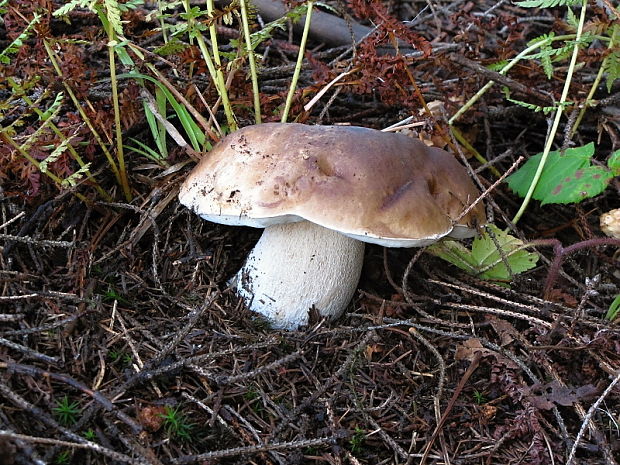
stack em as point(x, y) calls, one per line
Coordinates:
point(119, 332)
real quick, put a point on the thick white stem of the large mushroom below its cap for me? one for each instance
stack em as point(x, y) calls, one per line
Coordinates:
point(297, 266)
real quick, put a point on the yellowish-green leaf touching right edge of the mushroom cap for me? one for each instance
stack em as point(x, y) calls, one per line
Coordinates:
point(484, 259)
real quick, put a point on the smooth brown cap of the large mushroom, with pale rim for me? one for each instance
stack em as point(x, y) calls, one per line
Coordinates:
point(374, 186)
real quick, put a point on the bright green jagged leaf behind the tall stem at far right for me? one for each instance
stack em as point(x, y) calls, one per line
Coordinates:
point(567, 178)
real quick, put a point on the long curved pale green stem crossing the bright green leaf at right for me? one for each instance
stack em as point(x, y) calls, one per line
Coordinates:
point(558, 116)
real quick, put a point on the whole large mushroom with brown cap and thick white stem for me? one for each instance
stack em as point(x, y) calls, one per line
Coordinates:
point(321, 192)
